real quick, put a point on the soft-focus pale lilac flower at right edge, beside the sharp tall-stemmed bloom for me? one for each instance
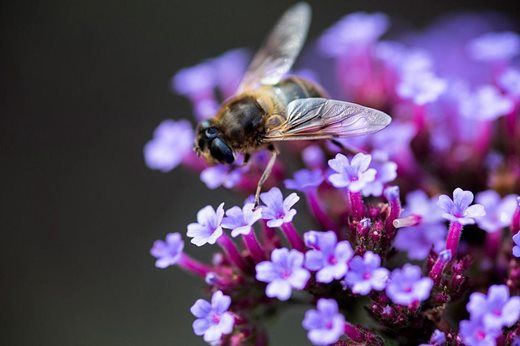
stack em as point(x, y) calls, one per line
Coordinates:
point(499, 212)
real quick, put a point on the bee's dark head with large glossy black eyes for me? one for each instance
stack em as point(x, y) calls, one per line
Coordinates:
point(210, 144)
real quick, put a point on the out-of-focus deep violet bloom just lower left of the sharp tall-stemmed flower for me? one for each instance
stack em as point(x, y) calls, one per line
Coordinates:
point(417, 241)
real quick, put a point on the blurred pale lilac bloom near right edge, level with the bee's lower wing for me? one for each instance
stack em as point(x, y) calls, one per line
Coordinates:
point(486, 103)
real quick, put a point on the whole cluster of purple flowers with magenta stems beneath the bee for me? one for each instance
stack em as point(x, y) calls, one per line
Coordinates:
point(400, 229)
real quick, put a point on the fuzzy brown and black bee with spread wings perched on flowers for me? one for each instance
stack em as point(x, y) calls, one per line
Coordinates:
point(269, 108)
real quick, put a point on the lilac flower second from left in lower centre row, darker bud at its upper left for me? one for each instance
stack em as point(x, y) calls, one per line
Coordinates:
point(328, 256)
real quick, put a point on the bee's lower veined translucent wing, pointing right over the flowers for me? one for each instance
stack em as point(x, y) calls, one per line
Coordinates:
point(319, 118)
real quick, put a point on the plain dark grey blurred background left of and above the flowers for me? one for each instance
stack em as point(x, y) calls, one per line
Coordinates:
point(83, 85)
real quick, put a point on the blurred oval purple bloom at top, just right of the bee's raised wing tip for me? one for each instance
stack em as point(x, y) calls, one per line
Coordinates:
point(353, 31)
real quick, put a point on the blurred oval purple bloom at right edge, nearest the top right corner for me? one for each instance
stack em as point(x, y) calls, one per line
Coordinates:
point(495, 46)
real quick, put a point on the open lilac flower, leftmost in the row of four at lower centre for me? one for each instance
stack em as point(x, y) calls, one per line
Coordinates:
point(283, 273)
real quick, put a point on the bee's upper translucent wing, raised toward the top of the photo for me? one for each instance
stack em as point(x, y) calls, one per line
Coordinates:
point(281, 48)
